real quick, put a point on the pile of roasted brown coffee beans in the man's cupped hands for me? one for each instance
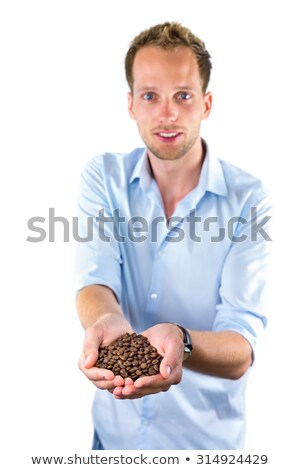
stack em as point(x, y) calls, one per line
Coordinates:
point(131, 355)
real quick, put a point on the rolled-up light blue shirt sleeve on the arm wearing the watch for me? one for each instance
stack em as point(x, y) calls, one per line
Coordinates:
point(243, 291)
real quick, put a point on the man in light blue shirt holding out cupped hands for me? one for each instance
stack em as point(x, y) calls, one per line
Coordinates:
point(178, 253)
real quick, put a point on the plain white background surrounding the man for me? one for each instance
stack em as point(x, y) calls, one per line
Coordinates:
point(63, 100)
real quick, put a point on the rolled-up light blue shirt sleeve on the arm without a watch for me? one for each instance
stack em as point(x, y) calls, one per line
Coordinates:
point(97, 254)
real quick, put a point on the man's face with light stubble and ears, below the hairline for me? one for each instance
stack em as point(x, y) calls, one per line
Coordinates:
point(167, 101)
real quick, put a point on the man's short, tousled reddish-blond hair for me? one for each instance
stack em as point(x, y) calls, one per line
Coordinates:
point(169, 36)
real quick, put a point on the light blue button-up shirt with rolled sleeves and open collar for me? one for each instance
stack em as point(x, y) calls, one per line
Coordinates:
point(208, 273)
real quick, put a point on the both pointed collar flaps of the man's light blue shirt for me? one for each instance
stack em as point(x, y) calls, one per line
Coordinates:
point(211, 178)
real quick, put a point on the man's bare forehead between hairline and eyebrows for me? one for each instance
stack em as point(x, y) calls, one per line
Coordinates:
point(155, 66)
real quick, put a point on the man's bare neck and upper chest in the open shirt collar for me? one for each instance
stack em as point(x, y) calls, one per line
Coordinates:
point(176, 178)
